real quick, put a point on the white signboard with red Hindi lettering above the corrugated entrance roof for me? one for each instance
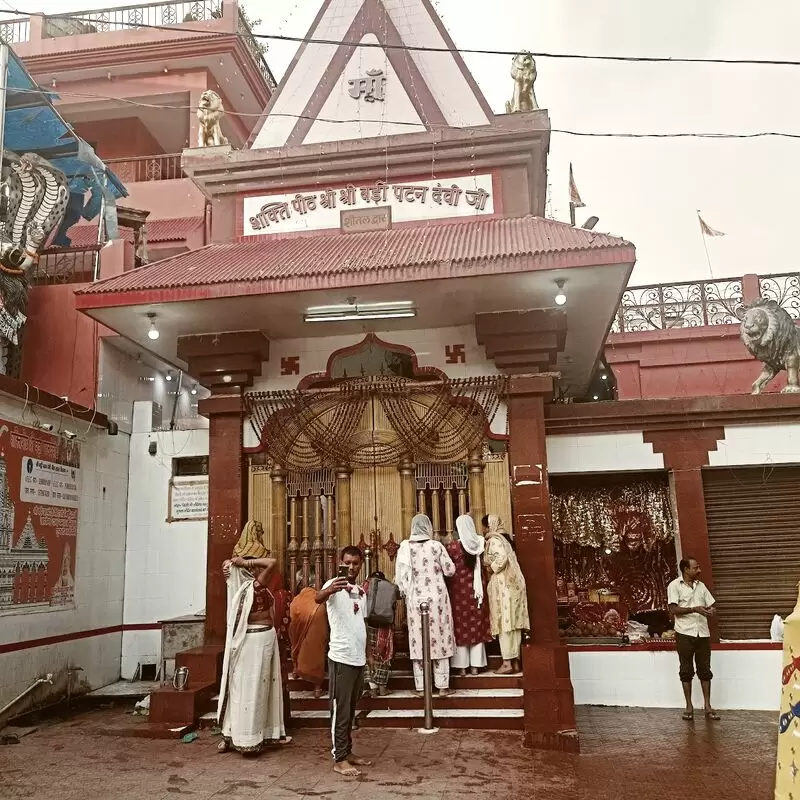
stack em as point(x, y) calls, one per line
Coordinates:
point(470, 196)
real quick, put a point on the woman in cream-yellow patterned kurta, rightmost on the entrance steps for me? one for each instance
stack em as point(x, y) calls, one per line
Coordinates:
point(508, 599)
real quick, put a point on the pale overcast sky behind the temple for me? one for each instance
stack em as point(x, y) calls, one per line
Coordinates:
point(647, 191)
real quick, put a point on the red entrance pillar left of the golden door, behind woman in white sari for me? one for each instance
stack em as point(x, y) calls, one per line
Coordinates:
point(226, 504)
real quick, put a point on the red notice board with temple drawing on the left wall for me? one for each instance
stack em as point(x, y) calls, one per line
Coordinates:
point(39, 500)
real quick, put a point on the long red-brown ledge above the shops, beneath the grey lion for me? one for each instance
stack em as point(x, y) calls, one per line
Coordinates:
point(678, 413)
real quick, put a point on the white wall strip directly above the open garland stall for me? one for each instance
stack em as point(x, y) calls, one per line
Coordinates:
point(601, 452)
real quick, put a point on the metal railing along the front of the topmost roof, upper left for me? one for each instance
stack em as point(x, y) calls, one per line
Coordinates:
point(128, 17)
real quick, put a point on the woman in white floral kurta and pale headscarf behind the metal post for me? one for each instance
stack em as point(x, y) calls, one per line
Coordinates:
point(422, 565)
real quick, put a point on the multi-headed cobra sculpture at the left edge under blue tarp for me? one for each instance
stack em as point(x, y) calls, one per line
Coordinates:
point(35, 195)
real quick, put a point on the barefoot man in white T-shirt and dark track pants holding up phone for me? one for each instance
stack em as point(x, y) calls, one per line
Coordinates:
point(345, 603)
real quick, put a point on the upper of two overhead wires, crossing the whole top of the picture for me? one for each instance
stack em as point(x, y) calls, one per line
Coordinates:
point(421, 48)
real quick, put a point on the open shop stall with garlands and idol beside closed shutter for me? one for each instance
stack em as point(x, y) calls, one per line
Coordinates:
point(615, 555)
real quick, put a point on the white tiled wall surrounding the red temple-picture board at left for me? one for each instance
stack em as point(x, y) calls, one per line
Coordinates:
point(99, 576)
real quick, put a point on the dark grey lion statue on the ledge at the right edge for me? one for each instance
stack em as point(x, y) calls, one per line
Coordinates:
point(770, 334)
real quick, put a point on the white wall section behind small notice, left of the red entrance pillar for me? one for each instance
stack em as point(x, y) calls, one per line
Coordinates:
point(165, 563)
